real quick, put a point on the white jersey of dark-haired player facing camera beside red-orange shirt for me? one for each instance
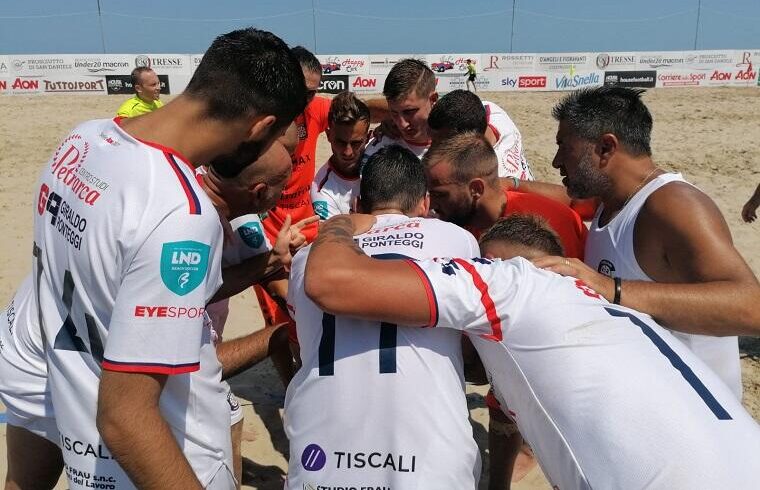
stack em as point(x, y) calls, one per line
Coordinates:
point(332, 193)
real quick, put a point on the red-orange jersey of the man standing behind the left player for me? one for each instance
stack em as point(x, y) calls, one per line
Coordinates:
point(296, 196)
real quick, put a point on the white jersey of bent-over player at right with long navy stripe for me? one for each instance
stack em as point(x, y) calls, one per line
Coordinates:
point(603, 394)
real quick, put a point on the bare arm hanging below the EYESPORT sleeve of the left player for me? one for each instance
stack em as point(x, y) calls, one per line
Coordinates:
point(150, 455)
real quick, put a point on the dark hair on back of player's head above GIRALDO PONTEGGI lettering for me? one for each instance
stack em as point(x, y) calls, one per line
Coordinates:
point(393, 176)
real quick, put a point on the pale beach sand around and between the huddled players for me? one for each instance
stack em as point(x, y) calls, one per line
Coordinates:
point(710, 135)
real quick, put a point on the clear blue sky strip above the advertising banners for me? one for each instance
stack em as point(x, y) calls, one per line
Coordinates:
point(381, 26)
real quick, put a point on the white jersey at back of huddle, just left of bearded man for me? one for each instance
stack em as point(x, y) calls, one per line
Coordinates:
point(508, 147)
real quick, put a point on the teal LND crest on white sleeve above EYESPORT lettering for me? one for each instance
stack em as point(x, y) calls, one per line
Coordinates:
point(184, 265)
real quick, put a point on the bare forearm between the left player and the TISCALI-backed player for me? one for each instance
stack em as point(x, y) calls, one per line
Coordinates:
point(239, 354)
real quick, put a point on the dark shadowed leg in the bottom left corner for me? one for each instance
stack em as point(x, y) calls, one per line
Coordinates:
point(33, 461)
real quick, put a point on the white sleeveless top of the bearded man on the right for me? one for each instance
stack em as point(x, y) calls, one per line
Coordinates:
point(610, 250)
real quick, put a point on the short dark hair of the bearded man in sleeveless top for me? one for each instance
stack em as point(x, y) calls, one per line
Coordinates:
point(592, 112)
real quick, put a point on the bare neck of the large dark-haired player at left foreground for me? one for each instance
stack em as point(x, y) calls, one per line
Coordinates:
point(181, 126)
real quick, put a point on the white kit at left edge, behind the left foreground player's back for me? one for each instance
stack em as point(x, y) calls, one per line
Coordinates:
point(23, 370)
